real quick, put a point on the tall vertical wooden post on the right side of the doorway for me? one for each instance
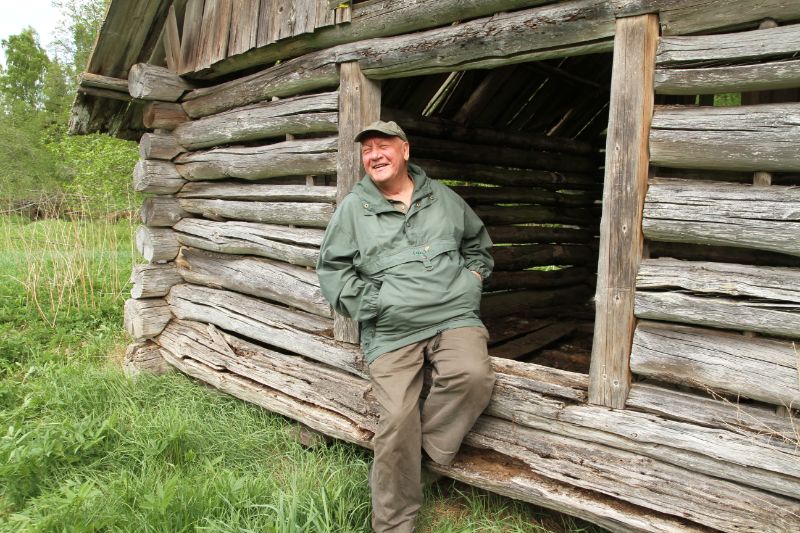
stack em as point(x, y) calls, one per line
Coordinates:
point(624, 189)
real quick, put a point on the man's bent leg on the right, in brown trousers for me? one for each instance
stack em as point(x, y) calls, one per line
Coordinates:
point(462, 385)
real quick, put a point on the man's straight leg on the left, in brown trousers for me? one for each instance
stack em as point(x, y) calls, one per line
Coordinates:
point(395, 476)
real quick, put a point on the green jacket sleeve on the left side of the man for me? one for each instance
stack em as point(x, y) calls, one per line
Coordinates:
point(347, 292)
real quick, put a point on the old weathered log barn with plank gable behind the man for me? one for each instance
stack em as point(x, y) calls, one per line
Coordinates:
point(645, 309)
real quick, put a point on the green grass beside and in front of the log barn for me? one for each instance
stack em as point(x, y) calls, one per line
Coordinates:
point(84, 448)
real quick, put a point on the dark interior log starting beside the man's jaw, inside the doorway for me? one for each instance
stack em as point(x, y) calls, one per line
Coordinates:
point(473, 172)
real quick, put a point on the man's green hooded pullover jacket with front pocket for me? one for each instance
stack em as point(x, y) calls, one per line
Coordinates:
point(404, 276)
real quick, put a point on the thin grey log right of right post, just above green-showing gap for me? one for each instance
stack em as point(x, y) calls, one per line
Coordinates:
point(707, 80)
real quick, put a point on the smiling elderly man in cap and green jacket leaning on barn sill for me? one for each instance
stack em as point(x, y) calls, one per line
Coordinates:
point(406, 257)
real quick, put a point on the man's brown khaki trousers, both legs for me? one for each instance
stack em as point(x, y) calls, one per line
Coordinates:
point(461, 388)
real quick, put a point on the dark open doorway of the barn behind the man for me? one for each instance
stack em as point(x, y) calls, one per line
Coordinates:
point(523, 145)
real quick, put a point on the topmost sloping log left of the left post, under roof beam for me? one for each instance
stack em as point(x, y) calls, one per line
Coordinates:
point(304, 74)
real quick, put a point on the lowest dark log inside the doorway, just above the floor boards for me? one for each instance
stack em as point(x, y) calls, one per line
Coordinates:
point(523, 302)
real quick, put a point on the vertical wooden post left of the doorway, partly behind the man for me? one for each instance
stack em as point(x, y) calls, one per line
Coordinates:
point(359, 106)
